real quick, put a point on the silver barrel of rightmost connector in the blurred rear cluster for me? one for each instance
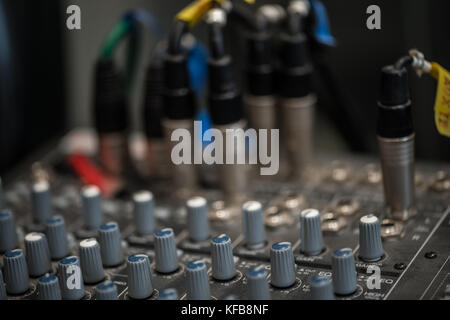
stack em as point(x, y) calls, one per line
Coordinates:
point(297, 131)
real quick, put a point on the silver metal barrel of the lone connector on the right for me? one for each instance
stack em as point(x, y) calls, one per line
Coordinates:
point(397, 164)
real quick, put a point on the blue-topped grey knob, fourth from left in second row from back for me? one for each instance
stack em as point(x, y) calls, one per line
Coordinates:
point(165, 251)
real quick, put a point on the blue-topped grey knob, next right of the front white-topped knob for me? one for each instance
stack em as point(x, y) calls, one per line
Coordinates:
point(139, 277)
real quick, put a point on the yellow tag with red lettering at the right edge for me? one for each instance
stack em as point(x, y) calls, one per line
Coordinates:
point(442, 104)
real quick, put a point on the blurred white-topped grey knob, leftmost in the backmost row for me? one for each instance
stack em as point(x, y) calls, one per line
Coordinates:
point(41, 203)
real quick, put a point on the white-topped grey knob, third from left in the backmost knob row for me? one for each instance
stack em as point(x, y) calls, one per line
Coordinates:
point(144, 216)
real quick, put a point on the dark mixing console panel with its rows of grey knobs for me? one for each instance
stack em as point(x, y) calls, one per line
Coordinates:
point(212, 257)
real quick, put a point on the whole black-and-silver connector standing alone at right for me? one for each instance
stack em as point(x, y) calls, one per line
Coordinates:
point(396, 143)
